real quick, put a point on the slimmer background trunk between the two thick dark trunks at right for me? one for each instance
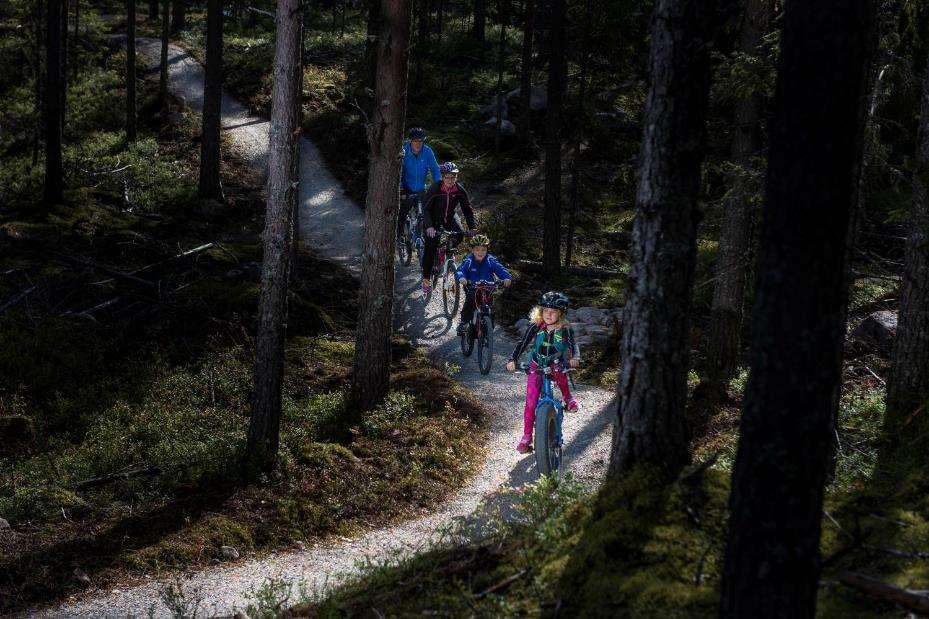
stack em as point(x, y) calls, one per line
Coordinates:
point(732, 266)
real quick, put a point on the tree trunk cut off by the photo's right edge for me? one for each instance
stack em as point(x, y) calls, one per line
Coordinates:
point(908, 384)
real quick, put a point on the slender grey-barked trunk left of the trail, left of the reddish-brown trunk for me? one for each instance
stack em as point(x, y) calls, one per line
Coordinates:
point(264, 427)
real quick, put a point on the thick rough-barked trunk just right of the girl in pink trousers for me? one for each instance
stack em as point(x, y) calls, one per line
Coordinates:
point(655, 344)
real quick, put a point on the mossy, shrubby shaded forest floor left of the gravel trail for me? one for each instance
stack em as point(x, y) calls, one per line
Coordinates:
point(127, 326)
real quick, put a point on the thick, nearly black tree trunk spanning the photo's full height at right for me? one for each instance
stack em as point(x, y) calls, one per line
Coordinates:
point(772, 560)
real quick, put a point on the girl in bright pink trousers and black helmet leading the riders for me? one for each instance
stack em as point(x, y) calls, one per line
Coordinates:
point(550, 340)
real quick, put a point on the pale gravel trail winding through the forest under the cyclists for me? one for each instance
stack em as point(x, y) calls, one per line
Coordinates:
point(332, 225)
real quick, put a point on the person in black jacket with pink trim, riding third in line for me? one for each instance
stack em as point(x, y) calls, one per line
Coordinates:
point(439, 206)
